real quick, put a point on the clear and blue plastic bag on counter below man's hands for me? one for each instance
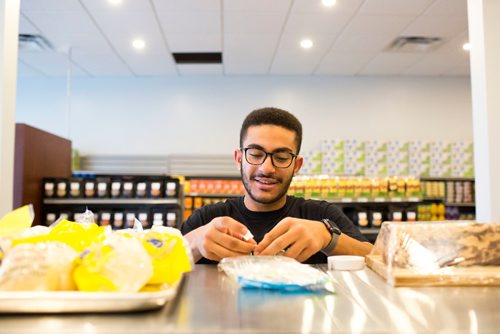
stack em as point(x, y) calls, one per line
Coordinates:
point(276, 273)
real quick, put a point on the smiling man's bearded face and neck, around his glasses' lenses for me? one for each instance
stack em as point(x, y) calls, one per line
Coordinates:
point(266, 185)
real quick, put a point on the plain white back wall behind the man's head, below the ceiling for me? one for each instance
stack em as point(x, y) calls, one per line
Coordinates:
point(160, 116)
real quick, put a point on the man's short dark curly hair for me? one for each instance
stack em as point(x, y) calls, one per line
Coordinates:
point(272, 116)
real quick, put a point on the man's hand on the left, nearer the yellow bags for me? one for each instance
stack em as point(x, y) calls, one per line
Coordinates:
point(222, 237)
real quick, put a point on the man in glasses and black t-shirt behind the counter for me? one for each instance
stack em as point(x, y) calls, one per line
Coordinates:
point(307, 230)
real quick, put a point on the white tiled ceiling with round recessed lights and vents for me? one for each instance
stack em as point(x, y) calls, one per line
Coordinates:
point(256, 37)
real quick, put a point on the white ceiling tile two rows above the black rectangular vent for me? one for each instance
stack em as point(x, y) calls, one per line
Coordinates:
point(183, 22)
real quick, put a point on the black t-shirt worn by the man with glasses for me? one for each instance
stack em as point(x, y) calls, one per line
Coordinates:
point(259, 223)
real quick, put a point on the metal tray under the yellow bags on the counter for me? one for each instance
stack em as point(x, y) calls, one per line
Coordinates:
point(83, 302)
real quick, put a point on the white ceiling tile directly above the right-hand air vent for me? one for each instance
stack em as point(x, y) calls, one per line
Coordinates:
point(436, 26)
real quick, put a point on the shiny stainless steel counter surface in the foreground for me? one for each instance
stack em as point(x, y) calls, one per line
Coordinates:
point(210, 303)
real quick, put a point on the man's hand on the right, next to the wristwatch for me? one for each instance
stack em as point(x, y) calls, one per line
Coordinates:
point(295, 238)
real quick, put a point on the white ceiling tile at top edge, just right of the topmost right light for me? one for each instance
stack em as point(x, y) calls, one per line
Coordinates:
point(394, 7)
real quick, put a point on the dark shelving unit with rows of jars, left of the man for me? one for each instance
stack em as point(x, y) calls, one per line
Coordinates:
point(152, 199)
